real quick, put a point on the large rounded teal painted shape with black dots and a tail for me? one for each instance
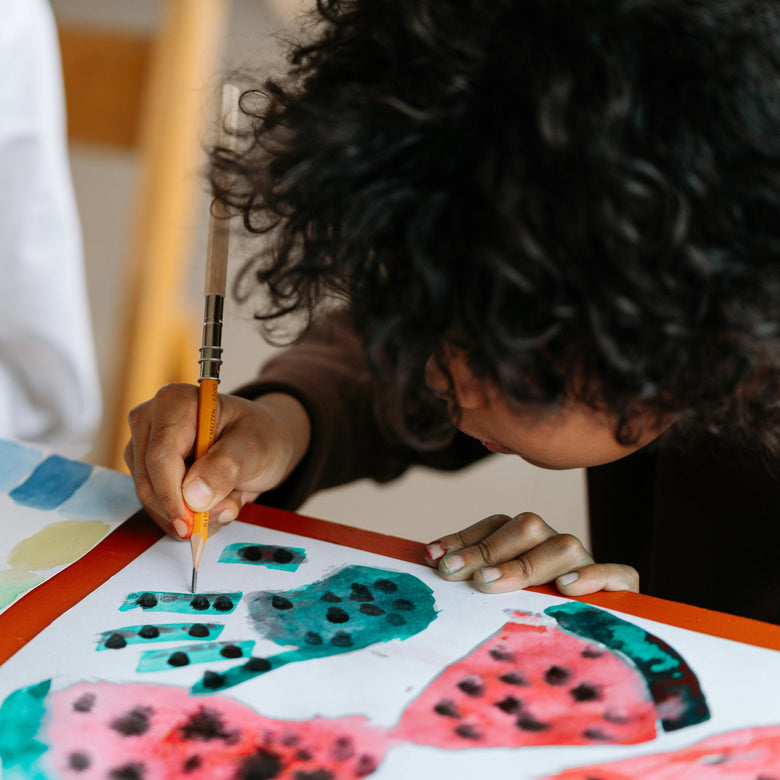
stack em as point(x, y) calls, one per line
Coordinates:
point(353, 608)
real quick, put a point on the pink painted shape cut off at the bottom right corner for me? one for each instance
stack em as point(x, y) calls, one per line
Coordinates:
point(748, 754)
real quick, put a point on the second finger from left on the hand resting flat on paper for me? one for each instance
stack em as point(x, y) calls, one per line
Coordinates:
point(512, 538)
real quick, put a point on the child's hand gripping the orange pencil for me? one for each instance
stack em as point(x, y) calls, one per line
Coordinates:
point(257, 444)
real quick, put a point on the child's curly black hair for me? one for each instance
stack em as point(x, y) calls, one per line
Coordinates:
point(581, 194)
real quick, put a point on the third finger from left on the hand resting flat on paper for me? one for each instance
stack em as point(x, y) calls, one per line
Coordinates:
point(559, 554)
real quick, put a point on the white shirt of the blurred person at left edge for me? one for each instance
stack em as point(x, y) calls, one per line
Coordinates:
point(49, 388)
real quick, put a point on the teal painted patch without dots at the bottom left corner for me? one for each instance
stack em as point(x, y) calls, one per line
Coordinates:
point(21, 715)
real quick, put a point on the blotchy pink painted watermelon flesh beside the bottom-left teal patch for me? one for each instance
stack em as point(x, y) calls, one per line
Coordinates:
point(139, 732)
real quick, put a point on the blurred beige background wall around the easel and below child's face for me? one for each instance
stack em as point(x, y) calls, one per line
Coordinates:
point(422, 505)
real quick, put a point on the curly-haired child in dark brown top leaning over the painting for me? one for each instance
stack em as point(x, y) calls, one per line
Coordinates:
point(538, 227)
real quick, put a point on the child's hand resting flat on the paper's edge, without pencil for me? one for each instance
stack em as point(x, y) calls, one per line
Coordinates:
point(502, 553)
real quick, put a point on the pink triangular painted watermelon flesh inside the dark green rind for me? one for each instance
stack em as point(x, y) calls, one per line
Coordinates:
point(533, 684)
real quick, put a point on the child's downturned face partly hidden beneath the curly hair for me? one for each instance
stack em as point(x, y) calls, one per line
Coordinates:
point(570, 435)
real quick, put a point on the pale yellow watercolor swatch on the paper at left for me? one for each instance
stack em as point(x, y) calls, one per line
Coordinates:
point(58, 544)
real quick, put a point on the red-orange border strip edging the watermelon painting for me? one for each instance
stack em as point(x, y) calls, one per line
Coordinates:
point(34, 611)
